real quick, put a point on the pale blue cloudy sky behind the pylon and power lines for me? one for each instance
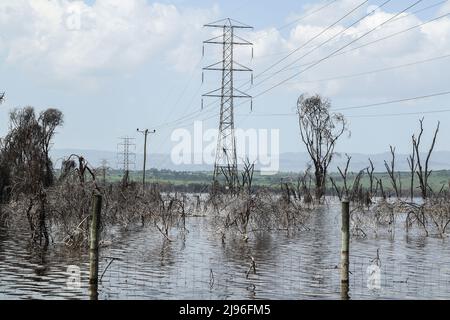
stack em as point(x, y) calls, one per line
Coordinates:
point(112, 66)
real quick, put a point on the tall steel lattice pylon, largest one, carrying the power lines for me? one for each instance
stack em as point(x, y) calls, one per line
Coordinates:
point(226, 159)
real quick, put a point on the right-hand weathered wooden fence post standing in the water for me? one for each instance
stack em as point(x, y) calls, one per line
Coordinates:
point(345, 246)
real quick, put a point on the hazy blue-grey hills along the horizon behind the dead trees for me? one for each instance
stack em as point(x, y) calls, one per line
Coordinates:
point(289, 162)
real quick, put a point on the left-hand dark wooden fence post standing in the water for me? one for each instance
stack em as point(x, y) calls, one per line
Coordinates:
point(93, 252)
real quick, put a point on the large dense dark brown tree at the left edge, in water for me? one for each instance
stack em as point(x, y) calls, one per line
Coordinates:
point(26, 165)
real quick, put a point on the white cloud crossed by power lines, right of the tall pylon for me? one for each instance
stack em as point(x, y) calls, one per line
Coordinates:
point(420, 43)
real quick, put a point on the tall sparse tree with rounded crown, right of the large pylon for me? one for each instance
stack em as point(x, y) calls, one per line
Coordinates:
point(320, 129)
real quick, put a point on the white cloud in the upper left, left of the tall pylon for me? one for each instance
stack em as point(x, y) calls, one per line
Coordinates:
point(71, 39)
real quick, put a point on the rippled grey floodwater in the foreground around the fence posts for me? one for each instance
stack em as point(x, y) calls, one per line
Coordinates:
point(197, 265)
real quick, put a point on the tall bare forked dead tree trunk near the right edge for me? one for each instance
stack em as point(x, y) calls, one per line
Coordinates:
point(422, 171)
